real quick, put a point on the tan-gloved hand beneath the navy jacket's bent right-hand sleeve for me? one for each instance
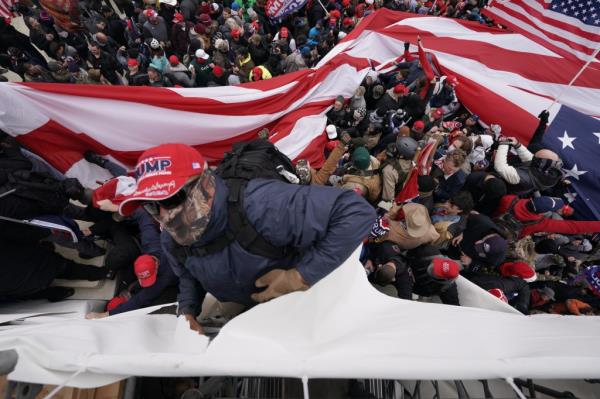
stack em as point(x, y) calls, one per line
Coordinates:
point(279, 282)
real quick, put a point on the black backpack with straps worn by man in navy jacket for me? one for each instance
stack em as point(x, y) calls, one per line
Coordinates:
point(247, 161)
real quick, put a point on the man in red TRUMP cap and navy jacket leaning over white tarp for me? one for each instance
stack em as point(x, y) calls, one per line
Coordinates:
point(324, 225)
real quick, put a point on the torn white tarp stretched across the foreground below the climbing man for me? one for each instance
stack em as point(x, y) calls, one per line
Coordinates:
point(340, 328)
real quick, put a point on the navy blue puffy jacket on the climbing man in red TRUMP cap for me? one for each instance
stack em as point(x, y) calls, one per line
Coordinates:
point(325, 224)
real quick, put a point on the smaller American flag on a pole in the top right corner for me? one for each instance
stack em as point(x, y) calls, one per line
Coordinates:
point(568, 27)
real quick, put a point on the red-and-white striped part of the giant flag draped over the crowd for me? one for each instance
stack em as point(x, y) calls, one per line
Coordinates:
point(504, 77)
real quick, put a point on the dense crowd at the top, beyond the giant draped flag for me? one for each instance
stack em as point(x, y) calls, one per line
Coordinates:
point(189, 43)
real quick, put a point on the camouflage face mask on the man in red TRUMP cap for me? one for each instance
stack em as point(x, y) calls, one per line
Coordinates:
point(187, 222)
